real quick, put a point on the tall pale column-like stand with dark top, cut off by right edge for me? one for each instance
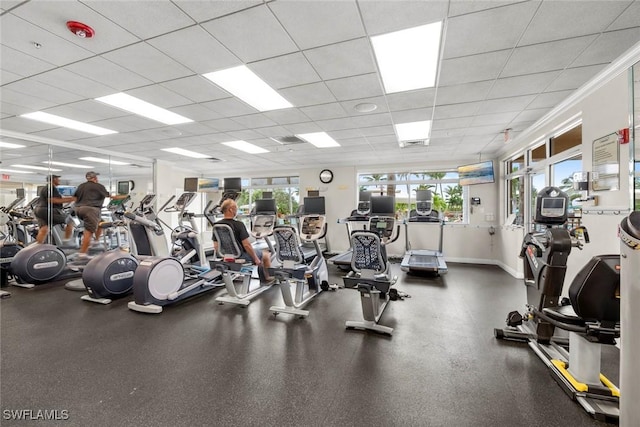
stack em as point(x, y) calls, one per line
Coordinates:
point(630, 294)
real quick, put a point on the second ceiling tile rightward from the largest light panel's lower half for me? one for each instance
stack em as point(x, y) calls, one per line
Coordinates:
point(545, 56)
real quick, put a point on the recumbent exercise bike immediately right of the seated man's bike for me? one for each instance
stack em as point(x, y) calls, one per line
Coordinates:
point(309, 279)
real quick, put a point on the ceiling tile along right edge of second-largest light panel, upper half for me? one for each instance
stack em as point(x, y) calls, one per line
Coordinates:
point(285, 71)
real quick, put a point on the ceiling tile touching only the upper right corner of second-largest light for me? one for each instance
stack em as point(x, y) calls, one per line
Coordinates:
point(252, 35)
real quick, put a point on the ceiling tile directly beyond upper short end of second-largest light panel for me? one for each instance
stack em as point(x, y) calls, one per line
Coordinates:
point(201, 55)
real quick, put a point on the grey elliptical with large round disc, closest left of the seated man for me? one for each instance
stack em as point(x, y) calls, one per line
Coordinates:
point(163, 280)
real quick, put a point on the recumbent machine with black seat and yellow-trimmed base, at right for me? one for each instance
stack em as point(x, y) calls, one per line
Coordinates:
point(591, 316)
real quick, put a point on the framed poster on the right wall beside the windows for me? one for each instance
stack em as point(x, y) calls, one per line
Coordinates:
point(606, 163)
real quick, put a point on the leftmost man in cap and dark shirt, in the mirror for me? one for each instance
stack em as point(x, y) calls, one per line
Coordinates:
point(49, 210)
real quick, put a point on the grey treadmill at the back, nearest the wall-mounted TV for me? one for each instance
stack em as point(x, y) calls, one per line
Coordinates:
point(424, 260)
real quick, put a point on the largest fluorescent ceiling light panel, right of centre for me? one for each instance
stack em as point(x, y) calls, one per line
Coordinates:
point(408, 59)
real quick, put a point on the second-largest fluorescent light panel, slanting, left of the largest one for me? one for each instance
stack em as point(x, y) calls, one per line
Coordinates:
point(244, 84)
